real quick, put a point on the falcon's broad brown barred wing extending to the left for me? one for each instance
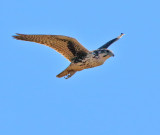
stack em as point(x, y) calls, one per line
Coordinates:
point(67, 46)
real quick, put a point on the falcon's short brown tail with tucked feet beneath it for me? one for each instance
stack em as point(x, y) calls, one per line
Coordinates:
point(67, 73)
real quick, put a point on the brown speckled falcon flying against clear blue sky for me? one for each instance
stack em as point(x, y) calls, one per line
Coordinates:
point(71, 49)
